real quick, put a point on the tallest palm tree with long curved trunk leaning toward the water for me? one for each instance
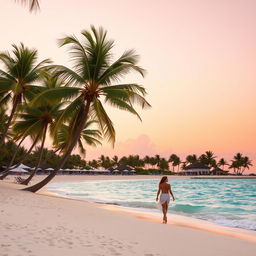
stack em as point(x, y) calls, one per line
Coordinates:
point(92, 79)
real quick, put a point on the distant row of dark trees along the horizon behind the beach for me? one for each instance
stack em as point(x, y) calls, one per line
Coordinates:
point(174, 163)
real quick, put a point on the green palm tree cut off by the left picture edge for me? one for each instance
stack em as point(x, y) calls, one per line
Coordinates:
point(18, 78)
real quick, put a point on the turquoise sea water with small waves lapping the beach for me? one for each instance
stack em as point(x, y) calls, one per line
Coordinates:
point(229, 202)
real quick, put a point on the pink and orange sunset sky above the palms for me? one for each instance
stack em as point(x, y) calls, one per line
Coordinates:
point(200, 58)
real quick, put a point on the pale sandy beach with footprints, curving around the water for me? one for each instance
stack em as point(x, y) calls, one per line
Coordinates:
point(39, 225)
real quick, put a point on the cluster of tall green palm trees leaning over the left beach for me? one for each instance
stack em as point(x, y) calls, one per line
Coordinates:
point(62, 103)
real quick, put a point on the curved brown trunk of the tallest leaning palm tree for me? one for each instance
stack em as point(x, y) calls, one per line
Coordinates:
point(81, 120)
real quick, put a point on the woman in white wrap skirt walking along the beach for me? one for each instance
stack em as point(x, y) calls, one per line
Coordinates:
point(164, 199)
